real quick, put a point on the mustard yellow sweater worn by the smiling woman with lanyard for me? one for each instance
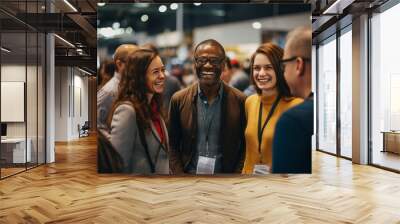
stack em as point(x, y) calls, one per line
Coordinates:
point(252, 112)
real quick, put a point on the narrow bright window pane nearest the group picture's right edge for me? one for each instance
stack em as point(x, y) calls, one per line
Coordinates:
point(327, 96)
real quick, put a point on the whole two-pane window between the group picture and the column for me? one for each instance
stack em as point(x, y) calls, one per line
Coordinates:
point(334, 94)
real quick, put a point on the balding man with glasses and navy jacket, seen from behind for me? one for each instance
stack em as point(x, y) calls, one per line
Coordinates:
point(292, 141)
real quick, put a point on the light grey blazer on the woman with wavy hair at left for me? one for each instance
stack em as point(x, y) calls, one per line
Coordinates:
point(124, 136)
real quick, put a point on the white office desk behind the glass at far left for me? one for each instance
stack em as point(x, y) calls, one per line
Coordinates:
point(13, 150)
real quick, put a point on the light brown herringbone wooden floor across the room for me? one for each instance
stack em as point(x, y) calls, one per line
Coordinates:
point(70, 191)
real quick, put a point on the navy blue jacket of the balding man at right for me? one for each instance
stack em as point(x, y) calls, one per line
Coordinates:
point(292, 142)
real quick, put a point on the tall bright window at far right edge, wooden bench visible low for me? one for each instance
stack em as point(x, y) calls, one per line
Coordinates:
point(385, 89)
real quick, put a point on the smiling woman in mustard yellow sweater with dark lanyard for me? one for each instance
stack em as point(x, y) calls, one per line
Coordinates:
point(264, 108)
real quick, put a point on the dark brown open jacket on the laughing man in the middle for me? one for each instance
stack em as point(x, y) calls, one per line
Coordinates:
point(182, 129)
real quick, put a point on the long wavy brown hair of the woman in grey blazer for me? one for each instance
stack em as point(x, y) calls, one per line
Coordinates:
point(133, 86)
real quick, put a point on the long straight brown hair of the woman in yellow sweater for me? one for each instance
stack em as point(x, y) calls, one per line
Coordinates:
point(274, 54)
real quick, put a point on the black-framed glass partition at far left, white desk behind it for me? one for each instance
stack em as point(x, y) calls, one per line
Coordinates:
point(22, 77)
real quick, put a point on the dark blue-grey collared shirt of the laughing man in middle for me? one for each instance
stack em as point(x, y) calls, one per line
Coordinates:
point(208, 129)
